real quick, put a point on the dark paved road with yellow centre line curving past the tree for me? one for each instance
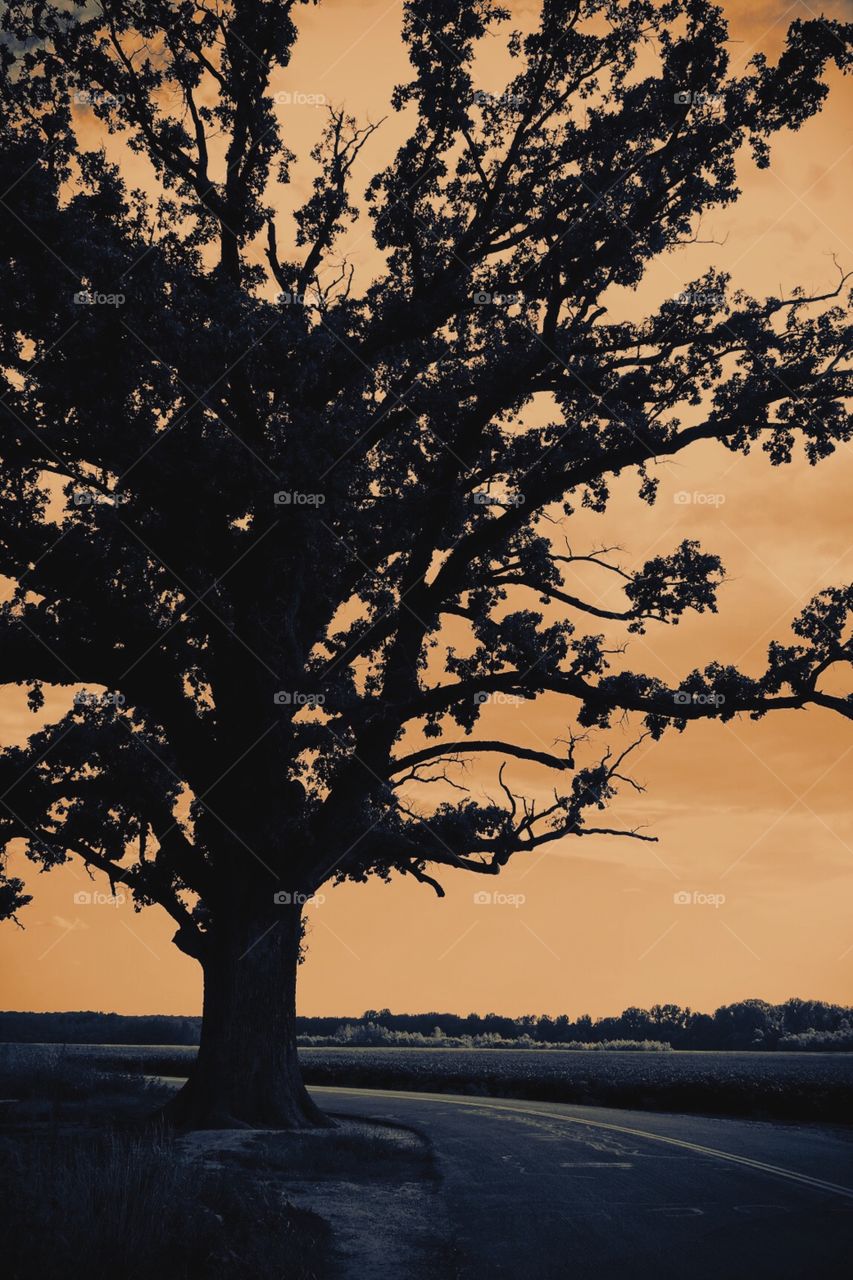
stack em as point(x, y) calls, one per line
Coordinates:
point(541, 1191)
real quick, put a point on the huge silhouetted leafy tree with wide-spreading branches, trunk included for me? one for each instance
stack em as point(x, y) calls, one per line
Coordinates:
point(286, 532)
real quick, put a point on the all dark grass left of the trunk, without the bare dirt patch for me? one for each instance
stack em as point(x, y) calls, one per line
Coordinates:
point(90, 1195)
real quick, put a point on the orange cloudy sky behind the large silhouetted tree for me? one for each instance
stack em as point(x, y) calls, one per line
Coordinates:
point(758, 813)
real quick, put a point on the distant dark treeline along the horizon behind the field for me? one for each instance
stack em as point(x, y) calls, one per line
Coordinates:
point(799, 1025)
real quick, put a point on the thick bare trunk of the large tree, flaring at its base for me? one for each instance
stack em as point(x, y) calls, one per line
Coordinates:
point(248, 1072)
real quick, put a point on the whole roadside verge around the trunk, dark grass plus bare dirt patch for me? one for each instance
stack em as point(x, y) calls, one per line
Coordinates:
point(94, 1194)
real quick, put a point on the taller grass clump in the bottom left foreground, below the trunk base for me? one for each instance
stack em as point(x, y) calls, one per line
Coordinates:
point(86, 1206)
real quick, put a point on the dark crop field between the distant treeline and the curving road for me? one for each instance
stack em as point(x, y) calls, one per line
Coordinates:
point(782, 1086)
